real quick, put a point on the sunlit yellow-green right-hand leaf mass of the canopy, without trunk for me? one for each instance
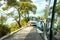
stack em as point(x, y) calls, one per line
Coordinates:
point(26, 6)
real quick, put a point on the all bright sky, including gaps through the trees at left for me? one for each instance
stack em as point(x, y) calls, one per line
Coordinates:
point(40, 4)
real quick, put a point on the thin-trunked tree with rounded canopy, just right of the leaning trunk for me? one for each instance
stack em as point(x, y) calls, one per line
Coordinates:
point(26, 7)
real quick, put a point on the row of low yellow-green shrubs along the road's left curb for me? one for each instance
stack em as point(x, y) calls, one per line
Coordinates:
point(6, 29)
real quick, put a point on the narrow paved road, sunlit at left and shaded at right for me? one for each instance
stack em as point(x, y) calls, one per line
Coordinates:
point(28, 33)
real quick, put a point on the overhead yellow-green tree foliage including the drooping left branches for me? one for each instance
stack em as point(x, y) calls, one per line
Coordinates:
point(22, 6)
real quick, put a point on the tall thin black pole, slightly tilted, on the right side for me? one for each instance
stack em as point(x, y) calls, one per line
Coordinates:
point(52, 20)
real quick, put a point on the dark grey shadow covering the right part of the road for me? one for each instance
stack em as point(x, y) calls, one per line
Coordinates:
point(33, 35)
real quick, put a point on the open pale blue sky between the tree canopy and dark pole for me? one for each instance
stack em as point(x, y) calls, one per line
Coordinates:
point(41, 5)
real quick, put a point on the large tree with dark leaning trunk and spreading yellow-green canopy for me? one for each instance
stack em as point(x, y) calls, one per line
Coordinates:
point(22, 6)
